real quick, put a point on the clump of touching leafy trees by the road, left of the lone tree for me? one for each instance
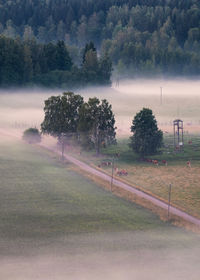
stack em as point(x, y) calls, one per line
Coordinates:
point(91, 124)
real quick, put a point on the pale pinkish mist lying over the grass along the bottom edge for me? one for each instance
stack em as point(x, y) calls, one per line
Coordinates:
point(112, 256)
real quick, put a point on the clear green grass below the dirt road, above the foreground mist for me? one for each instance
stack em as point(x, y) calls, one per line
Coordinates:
point(41, 197)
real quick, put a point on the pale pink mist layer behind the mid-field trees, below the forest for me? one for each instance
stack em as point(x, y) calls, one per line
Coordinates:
point(180, 99)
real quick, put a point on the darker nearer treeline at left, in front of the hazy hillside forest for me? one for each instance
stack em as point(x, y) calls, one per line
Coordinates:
point(28, 62)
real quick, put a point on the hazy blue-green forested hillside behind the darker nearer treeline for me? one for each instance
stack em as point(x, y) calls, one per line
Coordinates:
point(140, 36)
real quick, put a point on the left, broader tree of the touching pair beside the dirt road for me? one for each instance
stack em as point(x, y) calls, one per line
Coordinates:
point(61, 114)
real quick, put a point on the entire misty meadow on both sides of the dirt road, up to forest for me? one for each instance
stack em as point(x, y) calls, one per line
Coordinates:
point(57, 224)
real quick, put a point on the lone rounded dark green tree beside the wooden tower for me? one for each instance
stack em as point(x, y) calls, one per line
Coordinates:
point(147, 138)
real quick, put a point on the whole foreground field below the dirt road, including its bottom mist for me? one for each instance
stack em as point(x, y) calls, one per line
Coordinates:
point(57, 224)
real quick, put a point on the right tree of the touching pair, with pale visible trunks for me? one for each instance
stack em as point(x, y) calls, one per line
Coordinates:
point(97, 124)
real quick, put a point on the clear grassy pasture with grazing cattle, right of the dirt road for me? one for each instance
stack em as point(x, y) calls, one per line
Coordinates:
point(156, 179)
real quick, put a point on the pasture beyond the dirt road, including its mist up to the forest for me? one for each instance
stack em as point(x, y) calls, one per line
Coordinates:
point(180, 99)
